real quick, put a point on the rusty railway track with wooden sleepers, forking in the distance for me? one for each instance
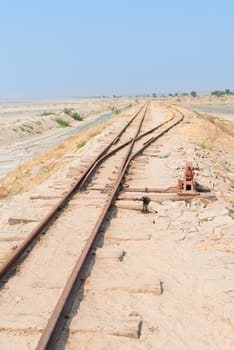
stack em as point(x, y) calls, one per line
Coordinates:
point(90, 202)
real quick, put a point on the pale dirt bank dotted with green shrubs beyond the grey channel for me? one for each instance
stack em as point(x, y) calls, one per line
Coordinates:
point(27, 121)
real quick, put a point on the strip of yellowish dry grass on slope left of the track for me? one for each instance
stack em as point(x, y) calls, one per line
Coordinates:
point(34, 172)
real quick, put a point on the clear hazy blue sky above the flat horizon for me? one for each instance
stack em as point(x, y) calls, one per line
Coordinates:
point(63, 48)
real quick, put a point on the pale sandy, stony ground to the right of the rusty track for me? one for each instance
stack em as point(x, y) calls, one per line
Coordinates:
point(173, 288)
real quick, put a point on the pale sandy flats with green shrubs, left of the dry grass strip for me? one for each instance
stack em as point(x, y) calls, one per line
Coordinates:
point(30, 129)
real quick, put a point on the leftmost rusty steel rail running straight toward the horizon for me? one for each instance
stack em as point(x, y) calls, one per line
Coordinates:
point(7, 266)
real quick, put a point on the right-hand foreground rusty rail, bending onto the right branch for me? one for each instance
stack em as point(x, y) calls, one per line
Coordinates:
point(48, 331)
